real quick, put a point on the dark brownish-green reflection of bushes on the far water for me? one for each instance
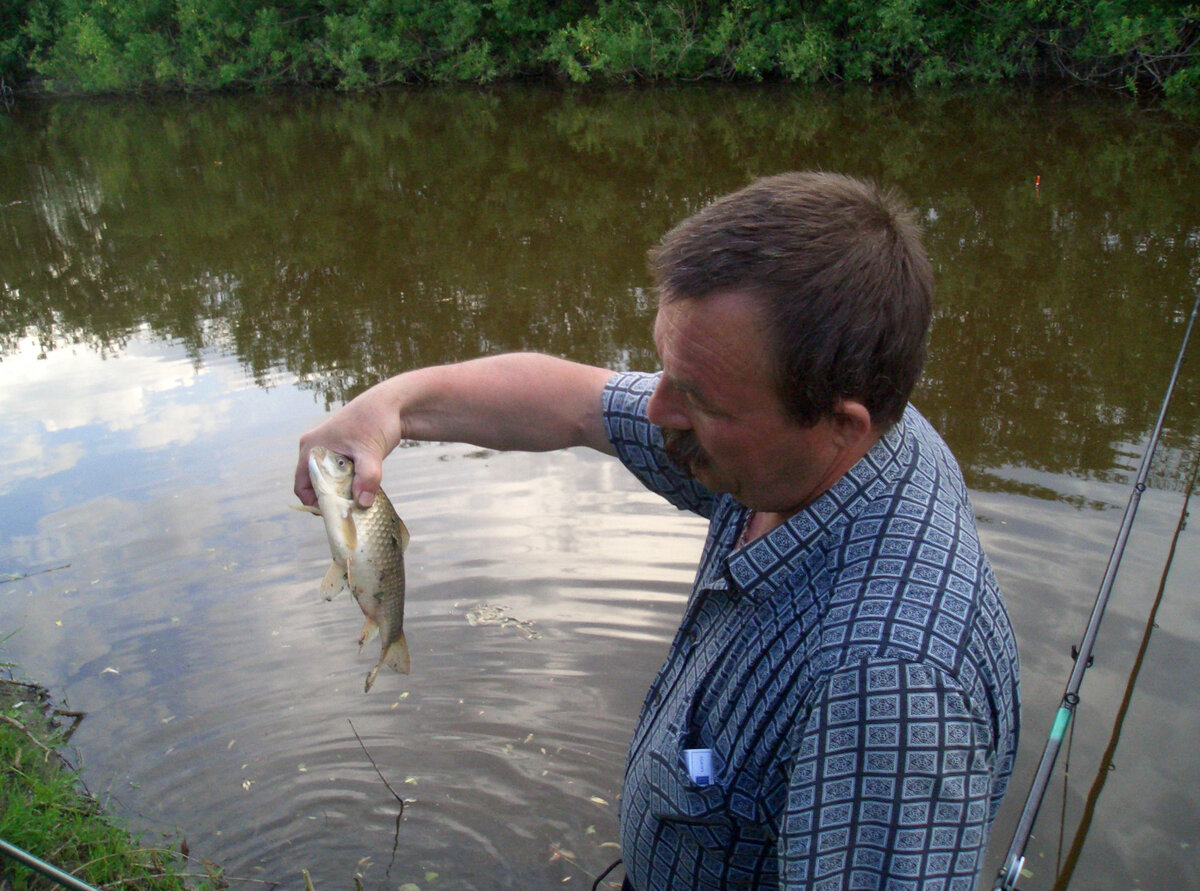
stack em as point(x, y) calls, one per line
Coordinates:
point(346, 241)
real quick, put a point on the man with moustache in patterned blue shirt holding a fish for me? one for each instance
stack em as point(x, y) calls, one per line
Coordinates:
point(839, 708)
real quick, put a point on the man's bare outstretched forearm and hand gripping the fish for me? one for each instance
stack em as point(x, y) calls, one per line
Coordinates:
point(523, 402)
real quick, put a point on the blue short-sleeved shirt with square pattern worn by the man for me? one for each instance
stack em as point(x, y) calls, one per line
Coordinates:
point(853, 672)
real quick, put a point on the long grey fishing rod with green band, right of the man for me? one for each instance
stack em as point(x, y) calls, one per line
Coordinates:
point(1015, 859)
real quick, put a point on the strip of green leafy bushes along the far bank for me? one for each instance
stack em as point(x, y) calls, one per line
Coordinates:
point(1141, 46)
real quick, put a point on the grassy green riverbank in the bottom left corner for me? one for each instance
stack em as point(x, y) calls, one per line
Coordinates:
point(46, 811)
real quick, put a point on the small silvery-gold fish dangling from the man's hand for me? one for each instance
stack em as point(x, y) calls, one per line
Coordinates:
point(368, 547)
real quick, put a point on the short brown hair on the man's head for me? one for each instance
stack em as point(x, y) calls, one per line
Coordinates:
point(844, 284)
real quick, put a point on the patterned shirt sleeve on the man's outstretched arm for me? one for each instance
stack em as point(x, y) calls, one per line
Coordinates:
point(639, 444)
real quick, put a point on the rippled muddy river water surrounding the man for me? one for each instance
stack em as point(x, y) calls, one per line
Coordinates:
point(189, 285)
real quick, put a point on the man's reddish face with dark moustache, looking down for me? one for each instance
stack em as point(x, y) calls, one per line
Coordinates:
point(721, 414)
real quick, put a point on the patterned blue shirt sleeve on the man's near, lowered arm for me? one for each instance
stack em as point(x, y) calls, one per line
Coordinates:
point(891, 785)
